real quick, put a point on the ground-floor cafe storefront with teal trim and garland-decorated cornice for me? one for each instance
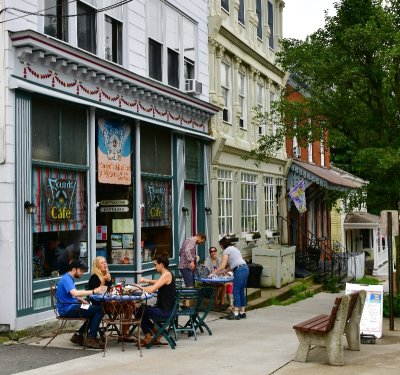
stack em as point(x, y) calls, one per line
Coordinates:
point(105, 162)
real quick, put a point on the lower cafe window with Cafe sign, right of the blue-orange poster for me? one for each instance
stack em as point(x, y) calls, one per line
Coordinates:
point(156, 219)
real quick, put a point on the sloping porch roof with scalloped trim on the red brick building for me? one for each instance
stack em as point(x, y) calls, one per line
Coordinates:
point(322, 176)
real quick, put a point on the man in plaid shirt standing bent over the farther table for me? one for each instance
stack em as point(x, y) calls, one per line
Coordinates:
point(187, 258)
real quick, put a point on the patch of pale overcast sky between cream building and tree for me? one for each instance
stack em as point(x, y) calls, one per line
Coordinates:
point(303, 17)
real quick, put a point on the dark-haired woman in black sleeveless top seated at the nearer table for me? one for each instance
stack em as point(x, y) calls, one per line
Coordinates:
point(165, 286)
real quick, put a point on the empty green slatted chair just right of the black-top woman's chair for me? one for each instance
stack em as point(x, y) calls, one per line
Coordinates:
point(187, 296)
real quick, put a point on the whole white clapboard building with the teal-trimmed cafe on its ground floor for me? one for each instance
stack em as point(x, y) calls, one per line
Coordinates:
point(104, 140)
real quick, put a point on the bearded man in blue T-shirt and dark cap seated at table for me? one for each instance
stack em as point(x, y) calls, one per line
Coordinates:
point(70, 304)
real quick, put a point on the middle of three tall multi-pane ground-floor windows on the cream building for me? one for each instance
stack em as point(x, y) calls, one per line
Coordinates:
point(249, 202)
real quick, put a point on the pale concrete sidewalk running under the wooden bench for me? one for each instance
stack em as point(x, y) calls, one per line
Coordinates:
point(264, 343)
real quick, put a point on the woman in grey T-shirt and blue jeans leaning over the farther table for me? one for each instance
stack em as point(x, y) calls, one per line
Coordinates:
point(232, 257)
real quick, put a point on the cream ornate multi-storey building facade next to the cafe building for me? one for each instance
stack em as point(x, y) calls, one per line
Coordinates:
point(243, 42)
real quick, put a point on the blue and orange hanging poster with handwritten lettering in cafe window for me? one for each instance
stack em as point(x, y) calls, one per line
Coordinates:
point(114, 152)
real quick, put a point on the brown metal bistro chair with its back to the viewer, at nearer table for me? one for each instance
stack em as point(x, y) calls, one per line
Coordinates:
point(123, 311)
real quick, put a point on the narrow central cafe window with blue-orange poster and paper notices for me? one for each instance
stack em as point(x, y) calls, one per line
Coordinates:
point(114, 192)
